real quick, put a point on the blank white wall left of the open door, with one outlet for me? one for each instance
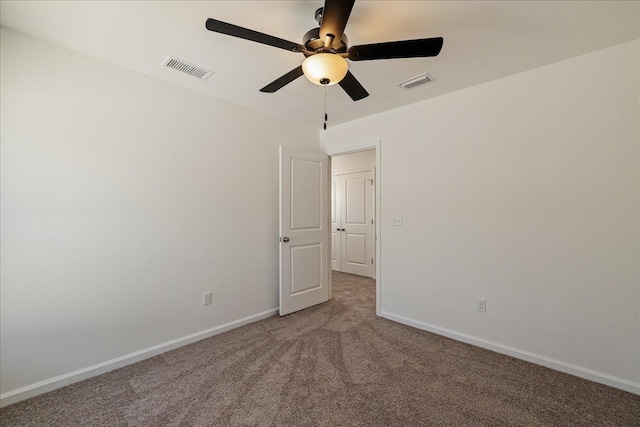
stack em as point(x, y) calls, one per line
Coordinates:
point(124, 198)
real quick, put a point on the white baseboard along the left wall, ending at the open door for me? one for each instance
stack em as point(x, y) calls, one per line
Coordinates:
point(82, 374)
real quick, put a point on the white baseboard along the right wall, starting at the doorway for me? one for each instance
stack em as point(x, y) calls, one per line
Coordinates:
point(548, 362)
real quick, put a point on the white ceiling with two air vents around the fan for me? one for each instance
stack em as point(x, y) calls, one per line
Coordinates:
point(483, 41)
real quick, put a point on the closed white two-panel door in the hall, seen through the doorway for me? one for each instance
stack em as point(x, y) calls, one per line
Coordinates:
point(358, 224)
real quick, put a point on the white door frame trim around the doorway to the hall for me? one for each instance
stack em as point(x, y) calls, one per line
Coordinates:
point(354, 148)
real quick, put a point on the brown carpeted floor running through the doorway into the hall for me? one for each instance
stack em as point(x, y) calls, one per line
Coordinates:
point(335, 364)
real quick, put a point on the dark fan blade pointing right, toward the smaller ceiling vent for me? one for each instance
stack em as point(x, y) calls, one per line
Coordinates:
point(402, 49)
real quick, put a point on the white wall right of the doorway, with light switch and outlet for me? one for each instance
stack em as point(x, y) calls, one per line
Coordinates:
point(523, 191)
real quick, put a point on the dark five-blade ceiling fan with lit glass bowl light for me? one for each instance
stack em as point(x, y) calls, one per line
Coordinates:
point(326, 48)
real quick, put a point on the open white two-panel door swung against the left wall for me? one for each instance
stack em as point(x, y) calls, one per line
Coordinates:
point(304, 229)
